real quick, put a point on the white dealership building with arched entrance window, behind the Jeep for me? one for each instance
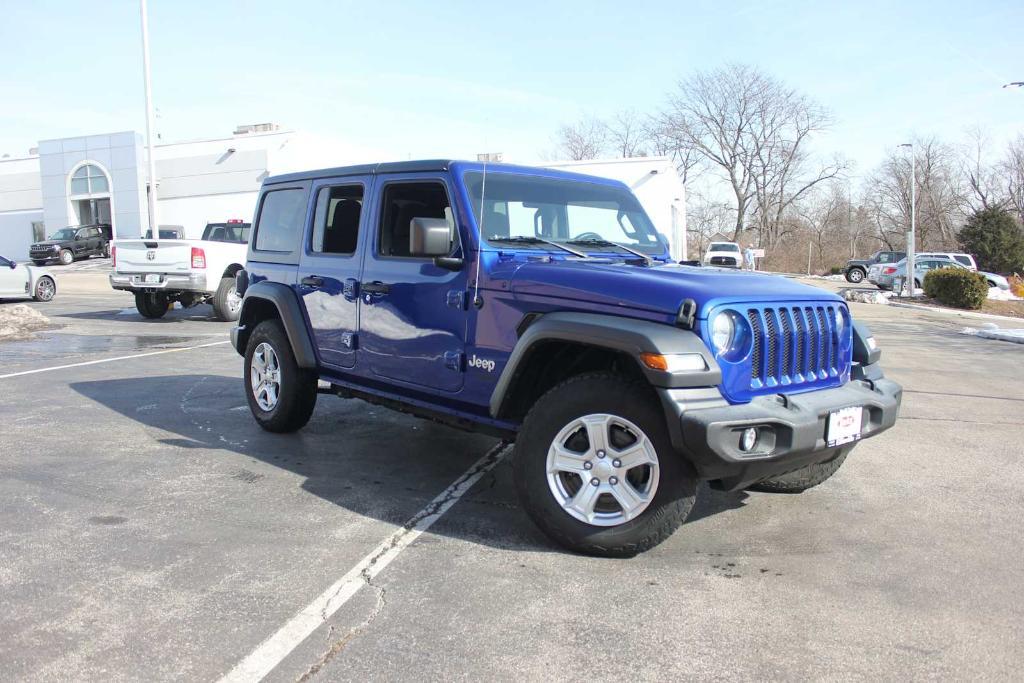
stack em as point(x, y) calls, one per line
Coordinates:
point(103, 179)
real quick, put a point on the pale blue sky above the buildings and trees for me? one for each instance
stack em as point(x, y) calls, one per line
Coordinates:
point(419, 79)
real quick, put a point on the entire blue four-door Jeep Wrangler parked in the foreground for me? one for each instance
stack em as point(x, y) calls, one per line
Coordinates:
point(543, 308)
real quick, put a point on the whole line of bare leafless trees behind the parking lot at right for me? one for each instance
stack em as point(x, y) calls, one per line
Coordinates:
point(753, 136)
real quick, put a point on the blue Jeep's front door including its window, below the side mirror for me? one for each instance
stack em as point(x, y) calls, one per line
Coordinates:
point(412, 313)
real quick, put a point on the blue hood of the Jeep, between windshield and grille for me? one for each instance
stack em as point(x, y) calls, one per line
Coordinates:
point(660, 289)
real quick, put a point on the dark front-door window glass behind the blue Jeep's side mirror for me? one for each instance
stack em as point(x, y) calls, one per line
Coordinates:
point(404, 202)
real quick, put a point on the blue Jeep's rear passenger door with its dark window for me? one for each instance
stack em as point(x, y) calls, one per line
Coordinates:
point(329, 269)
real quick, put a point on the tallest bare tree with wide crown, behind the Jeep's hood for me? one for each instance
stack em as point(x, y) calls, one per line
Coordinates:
point(755, 132)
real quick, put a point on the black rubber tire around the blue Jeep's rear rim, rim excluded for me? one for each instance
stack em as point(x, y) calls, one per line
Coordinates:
point(297, 397)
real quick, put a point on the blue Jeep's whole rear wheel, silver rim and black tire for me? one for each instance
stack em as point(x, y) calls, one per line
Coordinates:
point(281, 395)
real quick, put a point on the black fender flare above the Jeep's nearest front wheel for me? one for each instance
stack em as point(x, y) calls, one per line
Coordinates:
point(612, 332)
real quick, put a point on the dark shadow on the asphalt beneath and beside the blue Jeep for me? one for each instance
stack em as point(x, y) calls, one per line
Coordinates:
point(369, 460)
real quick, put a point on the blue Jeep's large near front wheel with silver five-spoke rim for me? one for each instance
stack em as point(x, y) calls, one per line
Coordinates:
point(595, 468)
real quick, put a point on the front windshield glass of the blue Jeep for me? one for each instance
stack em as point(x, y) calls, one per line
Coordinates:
point(561, 211)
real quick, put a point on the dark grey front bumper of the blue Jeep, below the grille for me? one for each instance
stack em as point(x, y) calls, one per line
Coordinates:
point(793, 429)
